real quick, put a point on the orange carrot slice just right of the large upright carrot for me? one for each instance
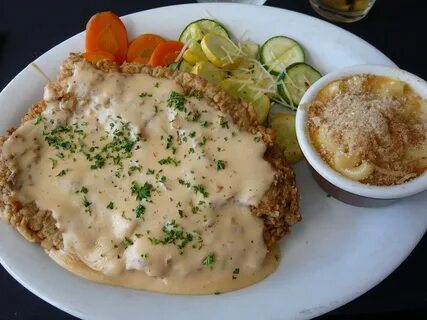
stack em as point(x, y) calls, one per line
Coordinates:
point(141, 48)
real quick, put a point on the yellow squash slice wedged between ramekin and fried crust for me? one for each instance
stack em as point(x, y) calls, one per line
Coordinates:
point(283, 126)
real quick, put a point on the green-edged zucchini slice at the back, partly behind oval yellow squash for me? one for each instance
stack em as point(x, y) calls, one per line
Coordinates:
point(196, 30)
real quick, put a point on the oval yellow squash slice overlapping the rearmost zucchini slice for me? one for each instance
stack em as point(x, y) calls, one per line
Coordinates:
point(221, 51)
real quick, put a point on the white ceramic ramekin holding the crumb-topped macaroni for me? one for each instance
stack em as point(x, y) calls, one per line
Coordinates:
point(337, 185)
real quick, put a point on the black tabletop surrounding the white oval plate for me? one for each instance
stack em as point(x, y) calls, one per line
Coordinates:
point(396, 27)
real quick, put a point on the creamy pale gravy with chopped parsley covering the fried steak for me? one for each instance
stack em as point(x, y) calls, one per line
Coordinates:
point(143, 194)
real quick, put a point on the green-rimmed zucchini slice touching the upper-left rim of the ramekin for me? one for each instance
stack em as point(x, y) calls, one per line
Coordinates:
point(297, 79)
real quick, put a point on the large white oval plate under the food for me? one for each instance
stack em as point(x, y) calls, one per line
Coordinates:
point(334, 255)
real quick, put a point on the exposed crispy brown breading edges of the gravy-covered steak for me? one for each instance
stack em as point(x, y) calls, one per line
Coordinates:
point(279, 207)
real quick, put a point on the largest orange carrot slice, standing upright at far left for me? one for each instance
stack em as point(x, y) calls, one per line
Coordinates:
point(106, 32)
